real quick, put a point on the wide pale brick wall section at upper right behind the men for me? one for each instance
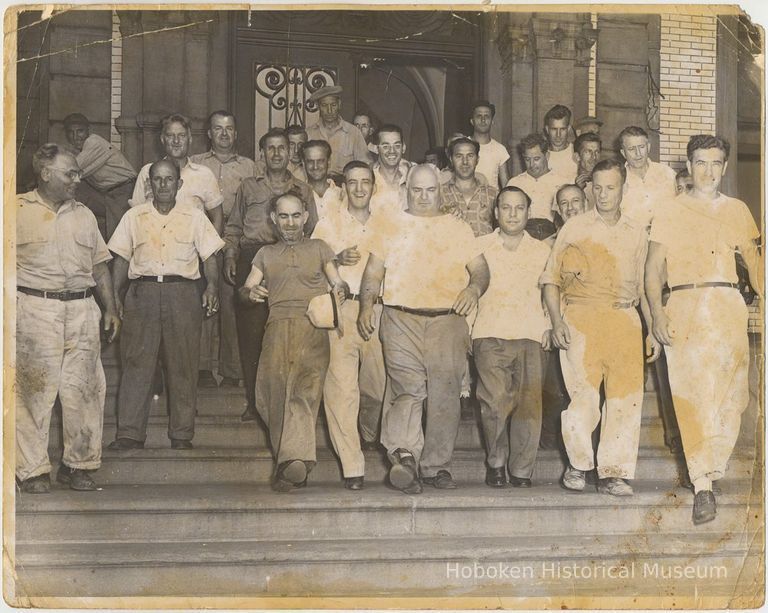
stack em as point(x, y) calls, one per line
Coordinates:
point(687, 82)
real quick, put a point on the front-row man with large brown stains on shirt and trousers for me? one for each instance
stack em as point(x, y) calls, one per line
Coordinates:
point(596, 269)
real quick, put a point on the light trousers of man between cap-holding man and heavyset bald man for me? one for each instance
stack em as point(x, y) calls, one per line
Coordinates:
point(354, 389)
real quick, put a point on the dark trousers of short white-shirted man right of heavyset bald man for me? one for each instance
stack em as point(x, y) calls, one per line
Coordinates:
point(509, 379)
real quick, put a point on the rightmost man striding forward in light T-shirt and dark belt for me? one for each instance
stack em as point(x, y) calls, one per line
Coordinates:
point(694, 238)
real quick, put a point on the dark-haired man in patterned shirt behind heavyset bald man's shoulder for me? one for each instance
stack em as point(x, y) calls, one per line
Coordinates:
point(464, 194)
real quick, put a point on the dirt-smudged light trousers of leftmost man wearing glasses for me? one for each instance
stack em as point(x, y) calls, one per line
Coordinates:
point(58, 352)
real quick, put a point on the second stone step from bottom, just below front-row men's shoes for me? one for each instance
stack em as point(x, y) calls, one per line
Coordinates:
point(247, 511)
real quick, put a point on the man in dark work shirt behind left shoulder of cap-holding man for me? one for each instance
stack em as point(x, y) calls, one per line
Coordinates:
point(248, 229)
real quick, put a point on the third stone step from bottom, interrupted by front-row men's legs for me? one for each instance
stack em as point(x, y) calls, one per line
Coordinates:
point(233, 465)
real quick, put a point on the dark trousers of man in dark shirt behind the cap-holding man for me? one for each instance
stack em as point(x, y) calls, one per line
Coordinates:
point(251, 319)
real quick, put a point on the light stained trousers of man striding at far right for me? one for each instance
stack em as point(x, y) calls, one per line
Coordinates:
point(709, 374)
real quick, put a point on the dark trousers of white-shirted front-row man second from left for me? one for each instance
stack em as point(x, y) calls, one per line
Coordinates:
point(165, 319)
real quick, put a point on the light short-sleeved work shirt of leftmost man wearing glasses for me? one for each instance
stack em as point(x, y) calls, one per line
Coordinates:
point(56, 250)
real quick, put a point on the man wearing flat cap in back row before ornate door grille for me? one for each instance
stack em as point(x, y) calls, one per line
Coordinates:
point(346, 141)
